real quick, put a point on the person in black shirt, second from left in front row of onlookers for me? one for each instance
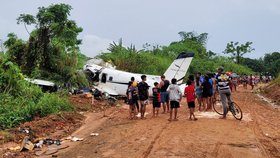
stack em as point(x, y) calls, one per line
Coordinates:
point(143, 90)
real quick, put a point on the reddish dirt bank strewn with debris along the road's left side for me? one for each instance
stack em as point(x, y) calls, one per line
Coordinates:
point(48, 131)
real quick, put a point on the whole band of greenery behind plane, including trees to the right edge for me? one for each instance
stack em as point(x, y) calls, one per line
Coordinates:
point(156, 59)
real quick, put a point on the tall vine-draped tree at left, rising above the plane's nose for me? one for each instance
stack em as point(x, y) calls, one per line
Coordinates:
point(53, 44)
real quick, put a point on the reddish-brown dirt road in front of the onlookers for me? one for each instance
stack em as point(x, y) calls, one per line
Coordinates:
point(256, 136)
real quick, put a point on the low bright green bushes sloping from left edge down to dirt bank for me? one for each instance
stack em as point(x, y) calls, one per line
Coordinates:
point(21, 101)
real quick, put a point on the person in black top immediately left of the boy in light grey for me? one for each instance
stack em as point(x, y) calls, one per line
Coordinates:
point(164, 96)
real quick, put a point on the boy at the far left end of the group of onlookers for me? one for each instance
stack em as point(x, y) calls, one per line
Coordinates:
point(132, 97)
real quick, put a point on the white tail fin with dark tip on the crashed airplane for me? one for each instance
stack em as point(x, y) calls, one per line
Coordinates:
point(179, 67)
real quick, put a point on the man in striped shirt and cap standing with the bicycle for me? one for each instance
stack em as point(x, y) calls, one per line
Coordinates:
point(223, 81)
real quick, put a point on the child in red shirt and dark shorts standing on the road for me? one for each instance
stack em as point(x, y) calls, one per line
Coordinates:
point(190, 96)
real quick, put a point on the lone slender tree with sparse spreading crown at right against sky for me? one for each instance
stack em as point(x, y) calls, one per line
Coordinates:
point(238, 50)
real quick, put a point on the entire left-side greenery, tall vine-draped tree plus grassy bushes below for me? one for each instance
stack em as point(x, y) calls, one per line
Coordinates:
point(51, 53)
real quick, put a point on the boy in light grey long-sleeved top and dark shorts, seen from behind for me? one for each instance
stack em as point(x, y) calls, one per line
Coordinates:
point(175, 98)
